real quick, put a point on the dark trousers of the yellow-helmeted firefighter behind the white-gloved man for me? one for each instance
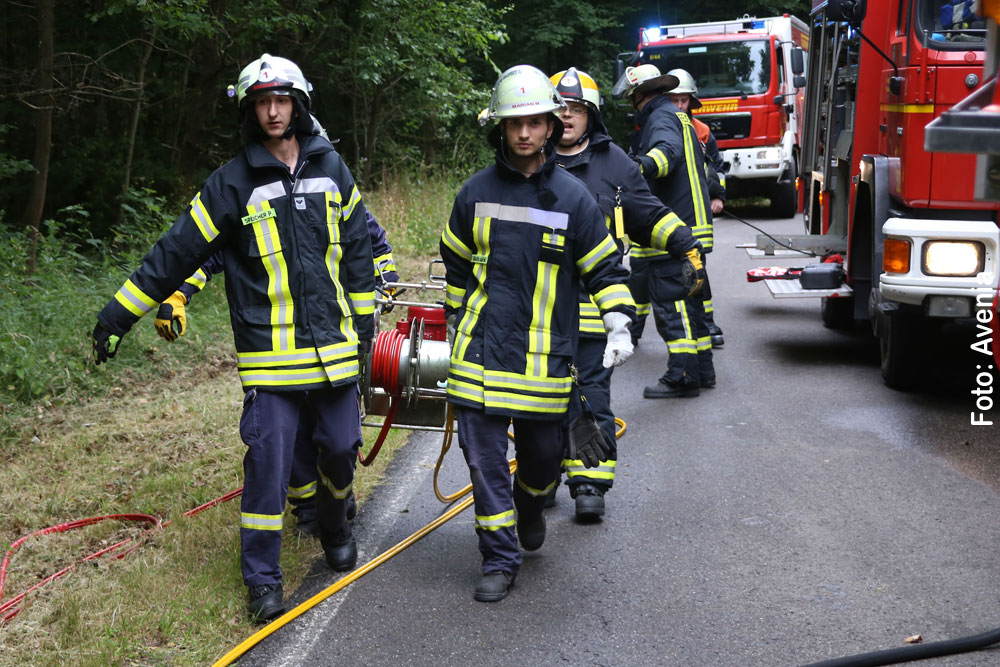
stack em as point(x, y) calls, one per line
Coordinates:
point(595, 384)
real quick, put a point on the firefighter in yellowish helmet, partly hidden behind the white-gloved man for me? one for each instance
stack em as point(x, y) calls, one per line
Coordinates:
point(586, 151)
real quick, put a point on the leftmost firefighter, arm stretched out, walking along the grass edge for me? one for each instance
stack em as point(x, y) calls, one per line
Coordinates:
point(300, 319)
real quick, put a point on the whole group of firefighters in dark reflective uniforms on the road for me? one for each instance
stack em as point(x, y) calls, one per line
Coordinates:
point(539, 303)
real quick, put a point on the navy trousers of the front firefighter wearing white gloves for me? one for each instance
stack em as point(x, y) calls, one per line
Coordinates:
point(538, 448)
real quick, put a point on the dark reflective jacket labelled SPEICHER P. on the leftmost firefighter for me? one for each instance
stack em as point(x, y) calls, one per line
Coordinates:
point(297, 259)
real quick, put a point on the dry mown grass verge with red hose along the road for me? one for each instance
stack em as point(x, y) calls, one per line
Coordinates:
point(155, 432)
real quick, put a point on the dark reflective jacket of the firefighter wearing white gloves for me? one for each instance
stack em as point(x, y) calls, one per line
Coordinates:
point(515, 250)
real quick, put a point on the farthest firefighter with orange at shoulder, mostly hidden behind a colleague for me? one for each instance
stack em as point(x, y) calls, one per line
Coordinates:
point(684, 97)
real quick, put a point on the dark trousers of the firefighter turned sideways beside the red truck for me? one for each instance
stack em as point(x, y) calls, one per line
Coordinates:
point(680, 320)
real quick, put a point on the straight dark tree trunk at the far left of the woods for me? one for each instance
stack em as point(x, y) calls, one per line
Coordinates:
point(43, 127)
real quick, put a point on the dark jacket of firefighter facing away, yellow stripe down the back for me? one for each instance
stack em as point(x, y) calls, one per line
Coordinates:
point(670, 158)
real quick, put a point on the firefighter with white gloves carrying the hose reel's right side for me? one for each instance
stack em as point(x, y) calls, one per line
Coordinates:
point(522, 236)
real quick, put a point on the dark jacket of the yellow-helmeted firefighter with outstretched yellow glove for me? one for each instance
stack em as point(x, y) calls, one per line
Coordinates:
point(628, 207)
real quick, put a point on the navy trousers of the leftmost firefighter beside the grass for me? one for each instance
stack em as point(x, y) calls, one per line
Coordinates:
point(328, 419)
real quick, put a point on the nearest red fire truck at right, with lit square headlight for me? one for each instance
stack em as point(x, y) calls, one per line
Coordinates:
point(917, 247)
